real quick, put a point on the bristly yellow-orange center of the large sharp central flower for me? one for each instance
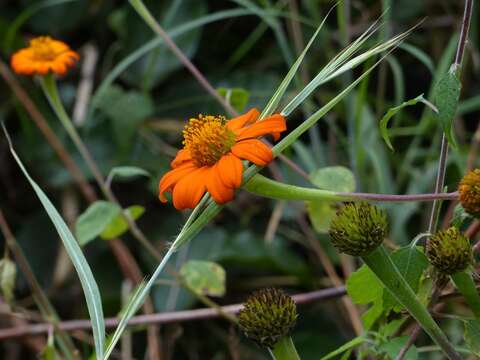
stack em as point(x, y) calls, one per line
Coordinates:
point(208, 139)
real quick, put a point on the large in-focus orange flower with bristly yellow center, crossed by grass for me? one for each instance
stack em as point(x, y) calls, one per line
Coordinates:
point(211, 159)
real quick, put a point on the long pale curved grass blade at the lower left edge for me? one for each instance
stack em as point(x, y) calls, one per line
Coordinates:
point(89, 285)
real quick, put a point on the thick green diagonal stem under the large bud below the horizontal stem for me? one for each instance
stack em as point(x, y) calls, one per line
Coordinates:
point(381, 264)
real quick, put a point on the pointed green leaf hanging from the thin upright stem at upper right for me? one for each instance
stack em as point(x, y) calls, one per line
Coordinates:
point(447, 95)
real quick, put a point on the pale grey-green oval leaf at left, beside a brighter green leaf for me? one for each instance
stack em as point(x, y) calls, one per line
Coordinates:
point(93, 221)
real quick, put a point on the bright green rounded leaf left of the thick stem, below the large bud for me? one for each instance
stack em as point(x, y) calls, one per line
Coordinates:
point(363, 286)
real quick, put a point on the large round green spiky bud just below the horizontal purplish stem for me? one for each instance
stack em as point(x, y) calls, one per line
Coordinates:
point(358, 229)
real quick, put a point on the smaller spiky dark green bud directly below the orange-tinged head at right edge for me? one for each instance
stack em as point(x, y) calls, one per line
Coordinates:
point(449, 251)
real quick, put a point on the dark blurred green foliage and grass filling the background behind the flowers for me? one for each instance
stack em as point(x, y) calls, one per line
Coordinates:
point(244, 48)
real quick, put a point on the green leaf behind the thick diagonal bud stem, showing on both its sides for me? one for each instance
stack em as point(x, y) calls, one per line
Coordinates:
point(411, 263)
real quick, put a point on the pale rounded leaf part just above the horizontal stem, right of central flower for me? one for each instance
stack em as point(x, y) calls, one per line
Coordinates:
point(333, 178)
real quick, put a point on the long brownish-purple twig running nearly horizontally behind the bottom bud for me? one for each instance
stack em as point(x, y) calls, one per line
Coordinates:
point(163, 318)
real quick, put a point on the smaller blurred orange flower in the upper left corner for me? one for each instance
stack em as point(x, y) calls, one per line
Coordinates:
point(43, 55)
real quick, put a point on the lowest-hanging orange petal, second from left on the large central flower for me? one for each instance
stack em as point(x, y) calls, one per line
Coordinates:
point(190, 189)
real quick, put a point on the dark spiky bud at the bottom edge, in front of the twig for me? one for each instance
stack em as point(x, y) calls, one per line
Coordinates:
point(267, 316)
